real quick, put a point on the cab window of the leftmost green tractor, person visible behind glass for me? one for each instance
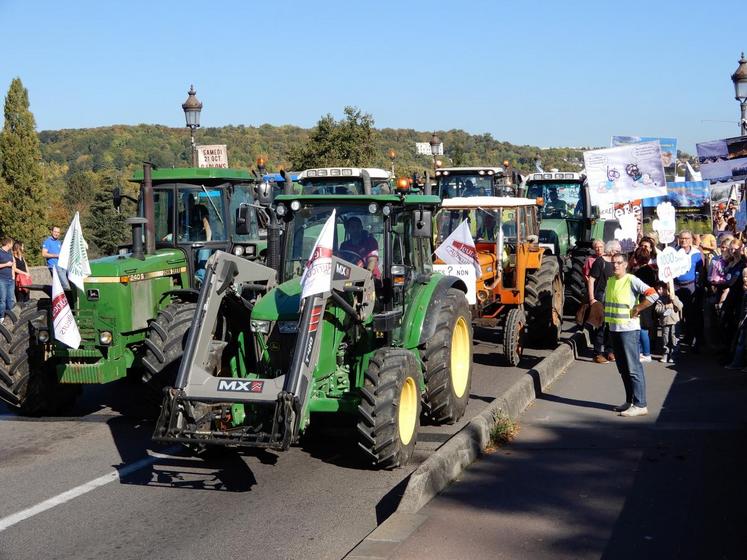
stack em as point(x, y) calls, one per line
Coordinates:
point(200, 215)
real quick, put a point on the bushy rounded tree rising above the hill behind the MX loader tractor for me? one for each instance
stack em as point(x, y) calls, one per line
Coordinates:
point(348, 142)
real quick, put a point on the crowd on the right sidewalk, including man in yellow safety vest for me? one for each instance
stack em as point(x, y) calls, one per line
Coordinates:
point(702, 310)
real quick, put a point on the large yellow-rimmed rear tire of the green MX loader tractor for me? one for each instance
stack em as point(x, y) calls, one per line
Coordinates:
point(447, 359)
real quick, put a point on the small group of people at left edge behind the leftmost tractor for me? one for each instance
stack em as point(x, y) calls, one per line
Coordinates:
point(15, 275)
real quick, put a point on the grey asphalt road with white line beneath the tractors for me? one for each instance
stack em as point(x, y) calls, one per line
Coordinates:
point(93, 485)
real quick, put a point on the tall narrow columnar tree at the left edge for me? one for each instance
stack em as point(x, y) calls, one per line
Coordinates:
point(23, 214)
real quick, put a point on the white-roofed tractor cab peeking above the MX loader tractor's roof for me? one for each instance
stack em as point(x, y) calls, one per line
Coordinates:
point(345, 180)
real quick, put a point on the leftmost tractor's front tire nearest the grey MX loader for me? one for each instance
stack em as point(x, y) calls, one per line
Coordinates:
point(164, 346)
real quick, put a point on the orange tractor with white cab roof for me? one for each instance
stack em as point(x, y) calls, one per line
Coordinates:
point(518, 290)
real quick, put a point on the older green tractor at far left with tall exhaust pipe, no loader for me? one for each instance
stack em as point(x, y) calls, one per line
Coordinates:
point(138, 304)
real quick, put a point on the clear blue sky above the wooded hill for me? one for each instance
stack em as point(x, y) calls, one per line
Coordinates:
point(542, 73)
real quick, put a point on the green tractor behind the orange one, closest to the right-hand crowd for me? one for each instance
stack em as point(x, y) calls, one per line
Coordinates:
point(569, 224)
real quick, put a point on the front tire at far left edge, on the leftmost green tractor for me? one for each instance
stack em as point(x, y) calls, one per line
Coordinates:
point(28, 381)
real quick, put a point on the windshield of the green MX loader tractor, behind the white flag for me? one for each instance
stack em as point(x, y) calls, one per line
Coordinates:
point(358, 236)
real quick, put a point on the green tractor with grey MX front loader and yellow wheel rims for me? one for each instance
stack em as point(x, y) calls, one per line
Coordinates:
point(390, 338)
